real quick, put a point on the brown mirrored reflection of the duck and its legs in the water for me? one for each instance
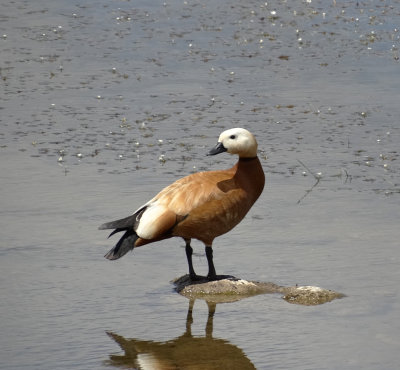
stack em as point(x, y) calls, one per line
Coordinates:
point(183, 352)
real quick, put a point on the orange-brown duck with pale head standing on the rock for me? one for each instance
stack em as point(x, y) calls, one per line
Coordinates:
point(202, 205)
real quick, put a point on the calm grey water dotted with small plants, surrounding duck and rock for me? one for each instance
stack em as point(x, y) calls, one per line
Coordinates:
point(103, 103)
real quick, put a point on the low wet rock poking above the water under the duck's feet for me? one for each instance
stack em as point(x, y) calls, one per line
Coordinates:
point(229, 289)
